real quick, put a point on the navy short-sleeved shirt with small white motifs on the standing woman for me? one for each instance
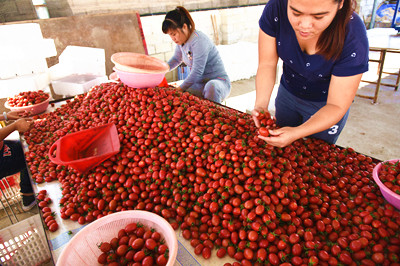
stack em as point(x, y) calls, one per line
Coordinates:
point(308, 76)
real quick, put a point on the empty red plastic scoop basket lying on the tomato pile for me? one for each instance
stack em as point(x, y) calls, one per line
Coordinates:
point(85, 149)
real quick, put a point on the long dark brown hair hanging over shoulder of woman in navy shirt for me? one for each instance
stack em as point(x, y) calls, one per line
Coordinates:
point(331, 42)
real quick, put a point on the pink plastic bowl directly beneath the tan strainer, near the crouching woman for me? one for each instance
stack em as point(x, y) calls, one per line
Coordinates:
point(140, 80)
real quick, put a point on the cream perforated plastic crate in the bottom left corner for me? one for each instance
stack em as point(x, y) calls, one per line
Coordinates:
point(24, 243)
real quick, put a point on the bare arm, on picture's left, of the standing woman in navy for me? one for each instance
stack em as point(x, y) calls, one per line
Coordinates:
point(266, 73)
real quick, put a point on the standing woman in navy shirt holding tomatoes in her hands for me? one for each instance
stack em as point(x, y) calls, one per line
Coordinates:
point(324, 48)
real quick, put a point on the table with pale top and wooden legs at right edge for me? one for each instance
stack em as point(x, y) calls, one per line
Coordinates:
point(382, 40)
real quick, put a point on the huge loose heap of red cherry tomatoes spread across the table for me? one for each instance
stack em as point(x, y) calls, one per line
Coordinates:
point(202, 167)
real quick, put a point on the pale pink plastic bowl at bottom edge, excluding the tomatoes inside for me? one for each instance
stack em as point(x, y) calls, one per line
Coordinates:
point(82, 248)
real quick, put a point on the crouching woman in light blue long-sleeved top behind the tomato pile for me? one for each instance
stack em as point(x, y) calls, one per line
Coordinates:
point(207, 77)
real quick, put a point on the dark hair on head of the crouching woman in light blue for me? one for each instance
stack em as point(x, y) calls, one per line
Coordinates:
point(176, 19)
